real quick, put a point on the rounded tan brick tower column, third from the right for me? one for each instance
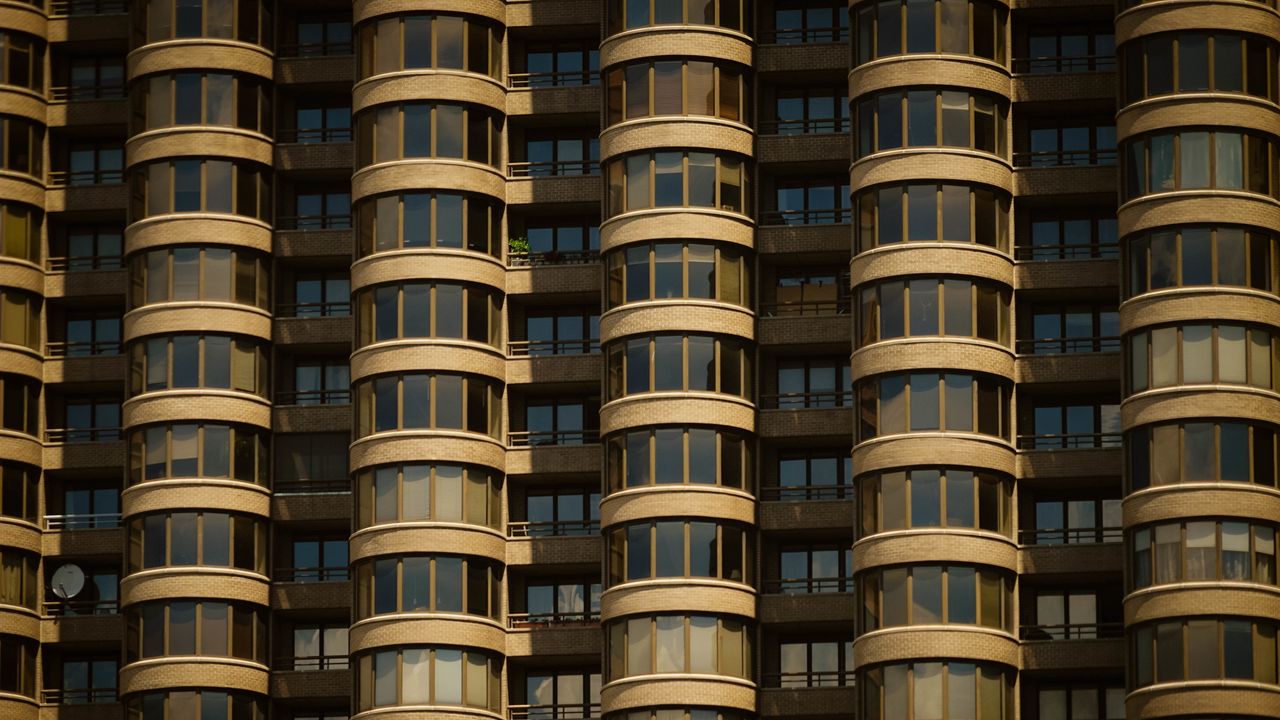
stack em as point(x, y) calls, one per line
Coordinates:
point(679, 339)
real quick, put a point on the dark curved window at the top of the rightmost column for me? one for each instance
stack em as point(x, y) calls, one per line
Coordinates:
point(1199, 62)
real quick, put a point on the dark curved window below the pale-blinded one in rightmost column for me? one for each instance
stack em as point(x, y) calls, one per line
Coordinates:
point(1201, 452)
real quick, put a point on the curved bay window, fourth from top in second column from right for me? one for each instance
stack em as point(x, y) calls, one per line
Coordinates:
point(932, 308)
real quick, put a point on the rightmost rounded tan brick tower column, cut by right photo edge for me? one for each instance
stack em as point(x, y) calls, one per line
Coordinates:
point(1199, 209)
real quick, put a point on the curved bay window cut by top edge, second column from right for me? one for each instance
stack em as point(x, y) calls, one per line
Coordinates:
point(958, 28)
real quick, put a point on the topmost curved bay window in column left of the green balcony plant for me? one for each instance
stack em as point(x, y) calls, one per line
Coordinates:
point(409, 43)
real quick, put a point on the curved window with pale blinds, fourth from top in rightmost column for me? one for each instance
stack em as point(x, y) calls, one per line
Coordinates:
point(1203, 354)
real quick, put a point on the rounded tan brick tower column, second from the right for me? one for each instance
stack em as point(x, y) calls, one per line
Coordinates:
point(932, 364)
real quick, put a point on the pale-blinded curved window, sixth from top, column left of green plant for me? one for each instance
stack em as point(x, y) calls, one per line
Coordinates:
point(447, 494)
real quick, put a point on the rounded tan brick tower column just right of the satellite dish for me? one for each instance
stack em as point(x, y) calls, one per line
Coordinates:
point(198, 334)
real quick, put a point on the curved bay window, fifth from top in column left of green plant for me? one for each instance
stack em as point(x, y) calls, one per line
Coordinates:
point(428, 402)
